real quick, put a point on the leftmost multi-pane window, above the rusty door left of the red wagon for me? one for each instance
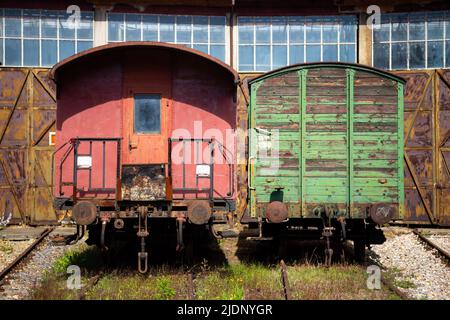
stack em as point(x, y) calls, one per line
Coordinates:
point(42, 37)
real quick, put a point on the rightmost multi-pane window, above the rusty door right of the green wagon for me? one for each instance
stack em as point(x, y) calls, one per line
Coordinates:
point(412, 41)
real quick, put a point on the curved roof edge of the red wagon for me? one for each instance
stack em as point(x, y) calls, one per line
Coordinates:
point(135, 44)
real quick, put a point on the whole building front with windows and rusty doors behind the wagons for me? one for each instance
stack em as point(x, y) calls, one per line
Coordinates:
point(412, 39)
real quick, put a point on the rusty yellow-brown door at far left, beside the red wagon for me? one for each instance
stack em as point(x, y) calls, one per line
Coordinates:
point(27, 115)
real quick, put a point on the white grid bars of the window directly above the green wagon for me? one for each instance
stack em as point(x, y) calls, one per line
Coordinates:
point(321, 20)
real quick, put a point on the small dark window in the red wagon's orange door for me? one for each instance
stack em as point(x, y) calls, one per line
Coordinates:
point(147, 113)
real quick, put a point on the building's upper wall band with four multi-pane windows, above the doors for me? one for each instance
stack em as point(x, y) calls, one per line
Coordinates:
point(268, 37)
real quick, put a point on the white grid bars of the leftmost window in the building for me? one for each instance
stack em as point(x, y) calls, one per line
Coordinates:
point(22, 38)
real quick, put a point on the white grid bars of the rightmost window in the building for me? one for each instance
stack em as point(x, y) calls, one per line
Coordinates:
point(425, 40)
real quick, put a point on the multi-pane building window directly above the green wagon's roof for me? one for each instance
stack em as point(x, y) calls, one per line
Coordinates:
point(267, 43)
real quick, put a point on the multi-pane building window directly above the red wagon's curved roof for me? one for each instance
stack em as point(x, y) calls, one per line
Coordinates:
point(204, 33)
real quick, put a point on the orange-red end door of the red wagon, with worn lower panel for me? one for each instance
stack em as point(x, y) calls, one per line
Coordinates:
point(145, 132)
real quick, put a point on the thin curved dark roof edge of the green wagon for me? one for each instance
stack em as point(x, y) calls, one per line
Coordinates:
point(328, 64)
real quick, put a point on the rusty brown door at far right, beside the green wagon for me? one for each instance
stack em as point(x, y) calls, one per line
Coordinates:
point(427, 146)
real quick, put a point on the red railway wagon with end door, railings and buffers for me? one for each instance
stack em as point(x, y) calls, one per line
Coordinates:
point(144, 130)
